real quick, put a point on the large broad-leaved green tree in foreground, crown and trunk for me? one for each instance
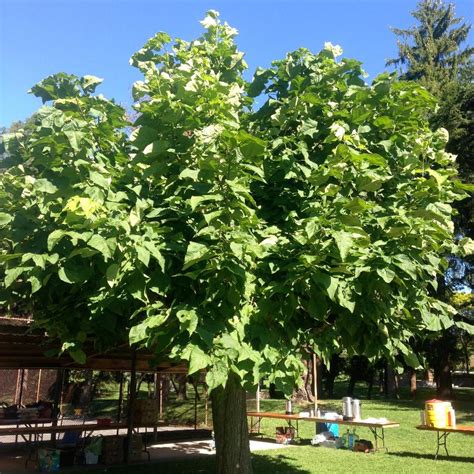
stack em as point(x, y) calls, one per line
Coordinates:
point(230, 236)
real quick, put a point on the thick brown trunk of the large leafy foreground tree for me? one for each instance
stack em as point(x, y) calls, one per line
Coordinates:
point(230, 428)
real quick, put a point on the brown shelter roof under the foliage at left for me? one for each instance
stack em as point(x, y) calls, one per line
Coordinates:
point(24, 347)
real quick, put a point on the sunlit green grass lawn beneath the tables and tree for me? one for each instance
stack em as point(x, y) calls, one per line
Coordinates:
point(410, 450)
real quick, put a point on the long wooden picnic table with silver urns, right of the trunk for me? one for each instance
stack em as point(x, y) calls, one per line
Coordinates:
point(377, 429)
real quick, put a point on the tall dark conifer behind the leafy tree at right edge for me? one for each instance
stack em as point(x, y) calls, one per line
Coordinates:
point(432, 54)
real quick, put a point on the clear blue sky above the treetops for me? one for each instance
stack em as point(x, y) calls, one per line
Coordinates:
point(42, 37)
